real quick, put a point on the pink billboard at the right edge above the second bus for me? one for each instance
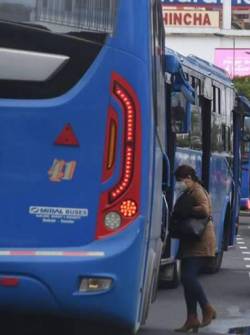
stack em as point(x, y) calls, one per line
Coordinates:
point(235, 61)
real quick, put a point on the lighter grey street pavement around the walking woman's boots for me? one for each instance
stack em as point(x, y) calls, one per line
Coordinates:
point(228, 291)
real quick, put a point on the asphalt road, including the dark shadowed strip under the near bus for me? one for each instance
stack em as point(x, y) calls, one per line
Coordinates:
point(228, 291)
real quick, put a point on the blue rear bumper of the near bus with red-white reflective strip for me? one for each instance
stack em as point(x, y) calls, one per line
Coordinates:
point(48, 281)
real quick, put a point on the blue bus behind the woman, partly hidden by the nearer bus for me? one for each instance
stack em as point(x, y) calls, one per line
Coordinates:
point(212, 147)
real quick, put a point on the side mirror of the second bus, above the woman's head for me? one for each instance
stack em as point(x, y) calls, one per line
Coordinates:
point(180, 113)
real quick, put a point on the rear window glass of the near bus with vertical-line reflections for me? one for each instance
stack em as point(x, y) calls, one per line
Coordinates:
point(61, 16)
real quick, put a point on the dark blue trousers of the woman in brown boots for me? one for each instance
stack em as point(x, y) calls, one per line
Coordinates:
point(193, 291)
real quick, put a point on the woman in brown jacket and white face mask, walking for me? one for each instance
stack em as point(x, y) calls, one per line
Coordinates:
point(194, 202)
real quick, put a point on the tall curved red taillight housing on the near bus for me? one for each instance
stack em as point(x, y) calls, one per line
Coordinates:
point(120, 205)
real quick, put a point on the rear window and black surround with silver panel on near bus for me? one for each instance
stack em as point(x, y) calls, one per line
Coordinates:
point(43, 29)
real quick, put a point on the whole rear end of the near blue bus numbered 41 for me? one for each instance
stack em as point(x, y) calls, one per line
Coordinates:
point(72, 233)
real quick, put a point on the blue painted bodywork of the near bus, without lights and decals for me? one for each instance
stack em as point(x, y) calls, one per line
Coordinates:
point(28, 130)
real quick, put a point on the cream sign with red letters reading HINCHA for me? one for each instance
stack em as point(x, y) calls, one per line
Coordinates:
point(186, 18)
